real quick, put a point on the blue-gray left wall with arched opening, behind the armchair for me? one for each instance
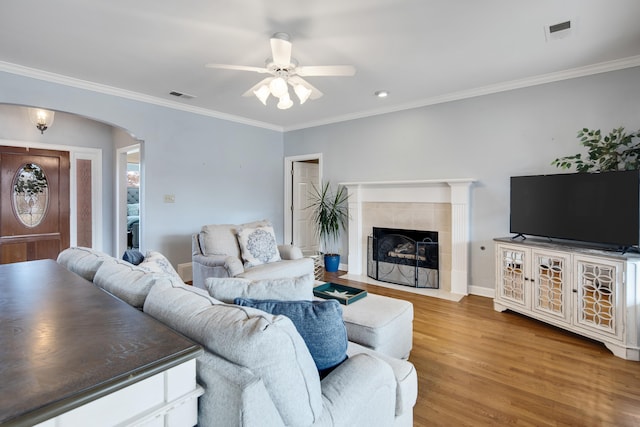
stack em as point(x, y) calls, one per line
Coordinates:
point(219, 171)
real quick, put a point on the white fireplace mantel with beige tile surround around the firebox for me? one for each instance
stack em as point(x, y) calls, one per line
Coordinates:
point(431, 205)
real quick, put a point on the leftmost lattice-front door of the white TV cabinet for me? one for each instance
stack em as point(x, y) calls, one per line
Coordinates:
point(513, 275)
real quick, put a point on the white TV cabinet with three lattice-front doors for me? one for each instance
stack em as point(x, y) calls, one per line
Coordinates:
point(590, 292)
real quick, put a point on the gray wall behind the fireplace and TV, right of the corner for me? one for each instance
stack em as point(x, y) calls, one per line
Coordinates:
point(489, 138)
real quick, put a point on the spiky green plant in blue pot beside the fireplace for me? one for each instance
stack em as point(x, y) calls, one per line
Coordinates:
point(330, 215)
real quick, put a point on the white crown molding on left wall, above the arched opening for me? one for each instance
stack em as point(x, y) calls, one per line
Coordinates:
point(123, 93)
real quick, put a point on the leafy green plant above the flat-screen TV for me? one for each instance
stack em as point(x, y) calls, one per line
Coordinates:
point(614, 152)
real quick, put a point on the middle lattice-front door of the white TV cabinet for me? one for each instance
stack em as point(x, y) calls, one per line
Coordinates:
point(551, 284)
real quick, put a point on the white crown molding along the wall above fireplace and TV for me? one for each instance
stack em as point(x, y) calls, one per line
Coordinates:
point(602, 67)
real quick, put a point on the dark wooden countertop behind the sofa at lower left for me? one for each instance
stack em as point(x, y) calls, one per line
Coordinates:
point(65, 342)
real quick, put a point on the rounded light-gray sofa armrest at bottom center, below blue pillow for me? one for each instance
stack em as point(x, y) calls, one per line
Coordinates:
point(360, 392)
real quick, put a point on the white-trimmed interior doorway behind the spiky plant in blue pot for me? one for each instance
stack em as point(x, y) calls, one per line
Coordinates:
point(301, 174)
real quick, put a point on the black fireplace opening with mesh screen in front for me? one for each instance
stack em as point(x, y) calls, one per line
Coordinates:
point(403, 257)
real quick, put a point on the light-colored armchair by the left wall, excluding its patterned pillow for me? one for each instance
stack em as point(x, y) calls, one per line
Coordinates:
point(217, 252)
